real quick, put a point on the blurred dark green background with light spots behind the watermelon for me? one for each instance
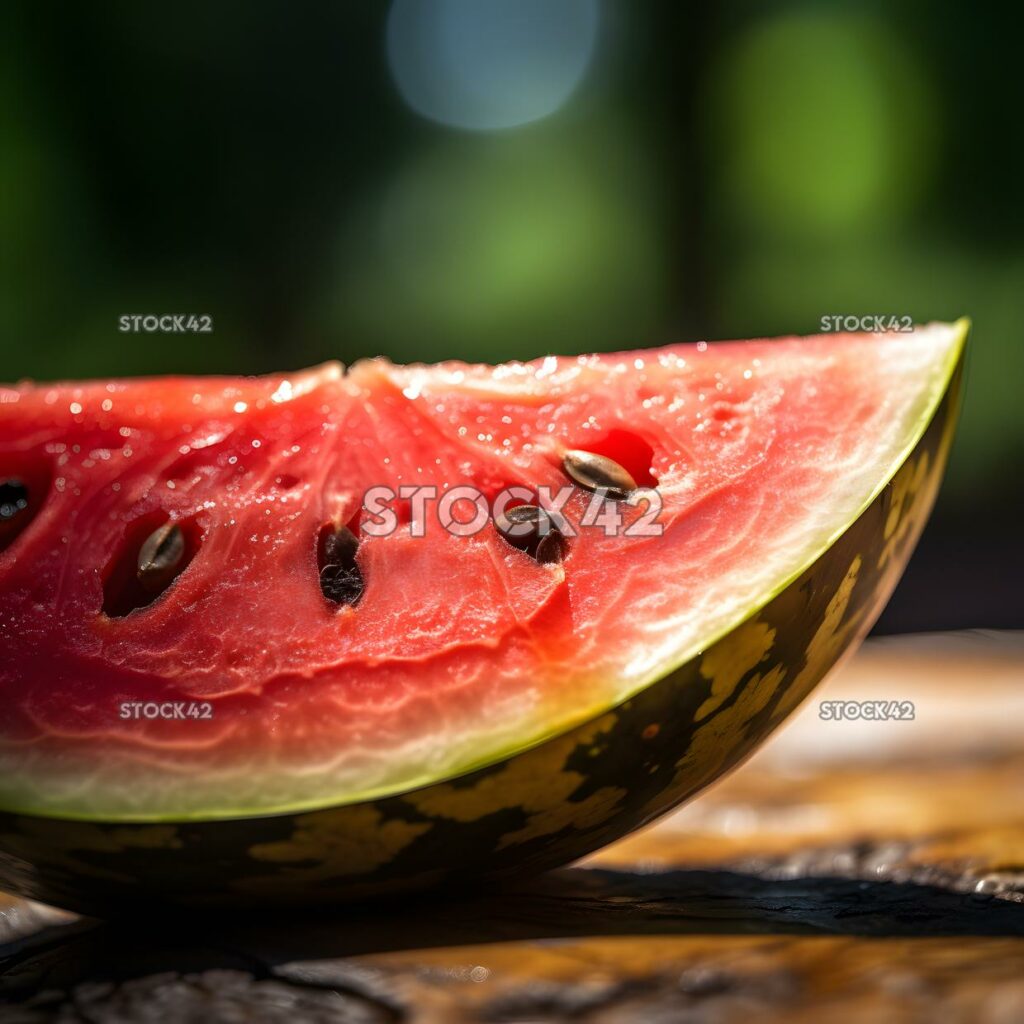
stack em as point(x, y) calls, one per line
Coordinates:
point(503, 179)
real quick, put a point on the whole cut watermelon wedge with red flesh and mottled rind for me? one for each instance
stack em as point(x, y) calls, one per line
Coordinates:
point(234, 672)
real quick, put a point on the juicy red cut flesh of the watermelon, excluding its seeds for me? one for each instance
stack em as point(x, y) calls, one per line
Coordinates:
point(462, 650)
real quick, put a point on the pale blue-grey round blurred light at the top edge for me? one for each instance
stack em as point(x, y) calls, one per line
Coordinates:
point(490, 64)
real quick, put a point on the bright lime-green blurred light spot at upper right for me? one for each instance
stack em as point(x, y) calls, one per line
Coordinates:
point(823, 122)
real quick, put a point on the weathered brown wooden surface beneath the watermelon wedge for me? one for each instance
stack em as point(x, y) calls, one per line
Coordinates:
point(850, 872)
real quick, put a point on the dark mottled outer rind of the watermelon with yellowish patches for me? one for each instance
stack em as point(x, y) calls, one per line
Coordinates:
point(538, 809)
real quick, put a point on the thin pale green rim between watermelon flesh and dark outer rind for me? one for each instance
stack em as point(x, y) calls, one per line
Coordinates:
point(958, 334)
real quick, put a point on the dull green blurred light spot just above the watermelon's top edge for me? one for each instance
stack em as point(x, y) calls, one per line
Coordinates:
point(506, 248)
